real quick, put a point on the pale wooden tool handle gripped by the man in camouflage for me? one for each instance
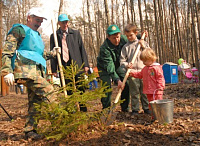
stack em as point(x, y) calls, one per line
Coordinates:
point(58, 57)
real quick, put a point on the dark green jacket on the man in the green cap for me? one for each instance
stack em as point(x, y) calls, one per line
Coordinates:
point(108, 61)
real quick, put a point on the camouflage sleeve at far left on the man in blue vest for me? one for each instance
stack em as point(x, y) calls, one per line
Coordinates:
point(13, 40)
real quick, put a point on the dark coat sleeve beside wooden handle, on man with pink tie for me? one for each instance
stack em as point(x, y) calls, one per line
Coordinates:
point(54, 61)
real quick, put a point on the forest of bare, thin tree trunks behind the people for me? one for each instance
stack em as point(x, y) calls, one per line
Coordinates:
point(173, 25)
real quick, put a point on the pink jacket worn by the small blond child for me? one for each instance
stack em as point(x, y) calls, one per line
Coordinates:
point(153, 78)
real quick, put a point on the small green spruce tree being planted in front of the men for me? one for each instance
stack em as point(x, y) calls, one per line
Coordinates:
point(62, 118)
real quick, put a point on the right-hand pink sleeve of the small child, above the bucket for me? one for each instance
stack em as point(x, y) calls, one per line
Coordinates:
point(160, 78)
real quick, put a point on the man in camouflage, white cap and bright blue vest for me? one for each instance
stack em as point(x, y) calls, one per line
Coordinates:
point(22, 61)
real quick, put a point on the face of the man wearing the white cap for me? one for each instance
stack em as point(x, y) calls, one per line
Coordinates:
point(34, 22)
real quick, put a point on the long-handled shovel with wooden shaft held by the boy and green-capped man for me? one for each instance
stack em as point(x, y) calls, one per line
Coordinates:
point(111, 115)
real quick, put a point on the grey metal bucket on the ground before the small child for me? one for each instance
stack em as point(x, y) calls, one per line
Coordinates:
point(163, 110)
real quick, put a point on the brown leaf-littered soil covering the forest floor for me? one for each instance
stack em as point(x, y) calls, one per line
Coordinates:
point(126, 130)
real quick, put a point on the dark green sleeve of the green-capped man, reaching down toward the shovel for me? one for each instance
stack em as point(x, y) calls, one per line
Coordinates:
point(107, 63)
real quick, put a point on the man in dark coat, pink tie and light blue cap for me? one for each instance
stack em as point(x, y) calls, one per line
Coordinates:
point(72, 48)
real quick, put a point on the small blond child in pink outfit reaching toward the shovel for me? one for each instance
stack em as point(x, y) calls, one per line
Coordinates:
point(152, 75)
